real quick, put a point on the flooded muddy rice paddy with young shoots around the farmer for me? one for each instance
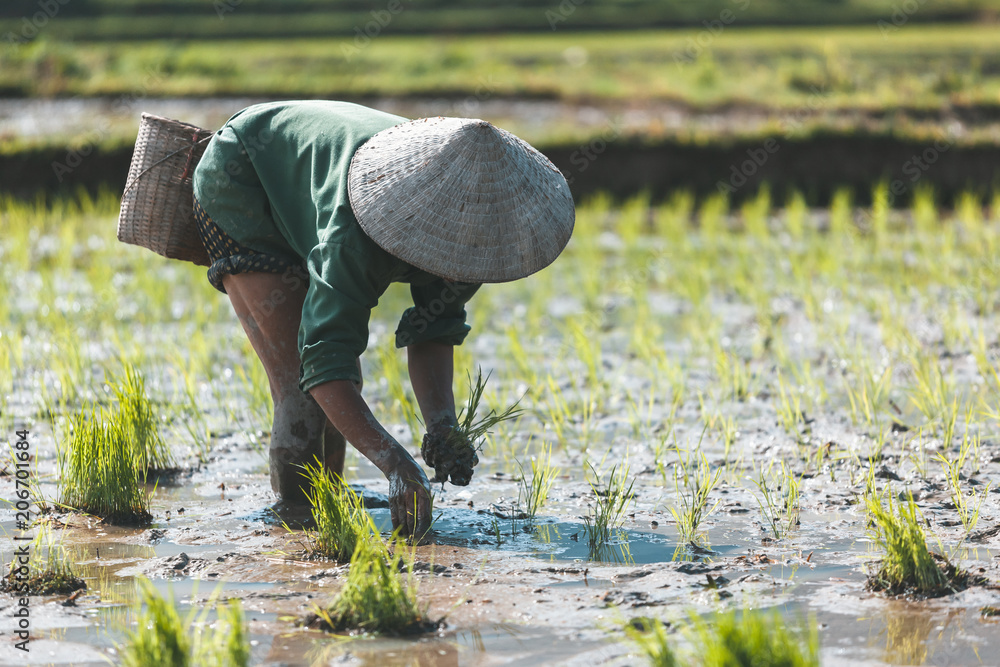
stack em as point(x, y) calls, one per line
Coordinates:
point(822, 355)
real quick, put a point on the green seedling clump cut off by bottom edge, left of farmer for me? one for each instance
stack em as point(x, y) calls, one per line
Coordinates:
point(162, 637)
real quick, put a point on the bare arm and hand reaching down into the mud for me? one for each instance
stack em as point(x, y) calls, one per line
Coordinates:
point(409, 490)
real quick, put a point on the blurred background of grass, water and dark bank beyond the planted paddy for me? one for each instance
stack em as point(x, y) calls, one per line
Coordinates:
point(681, 91)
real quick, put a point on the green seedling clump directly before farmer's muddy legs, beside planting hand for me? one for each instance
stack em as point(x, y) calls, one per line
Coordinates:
point(339, 514)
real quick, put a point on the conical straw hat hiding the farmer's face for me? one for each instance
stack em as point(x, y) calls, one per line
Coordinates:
point(461, 199)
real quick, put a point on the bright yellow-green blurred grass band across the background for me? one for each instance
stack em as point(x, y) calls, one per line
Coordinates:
point(807, 68)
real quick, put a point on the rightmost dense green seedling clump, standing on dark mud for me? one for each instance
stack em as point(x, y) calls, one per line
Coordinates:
point(907, 566)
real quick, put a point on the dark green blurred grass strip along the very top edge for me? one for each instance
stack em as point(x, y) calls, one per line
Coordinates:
point(185, 19)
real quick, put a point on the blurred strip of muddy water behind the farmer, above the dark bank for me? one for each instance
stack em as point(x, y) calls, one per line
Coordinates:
point(537, 120)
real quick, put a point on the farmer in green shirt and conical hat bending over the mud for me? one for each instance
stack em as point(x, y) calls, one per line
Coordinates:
point(309, 210)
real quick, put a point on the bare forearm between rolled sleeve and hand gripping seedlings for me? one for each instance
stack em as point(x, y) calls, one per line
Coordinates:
point(432, 370)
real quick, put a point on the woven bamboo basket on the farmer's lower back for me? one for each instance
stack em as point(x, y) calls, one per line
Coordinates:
point(157, 205)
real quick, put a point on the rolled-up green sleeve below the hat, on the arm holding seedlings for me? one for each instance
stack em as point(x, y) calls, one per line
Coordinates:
point(438, 313)
